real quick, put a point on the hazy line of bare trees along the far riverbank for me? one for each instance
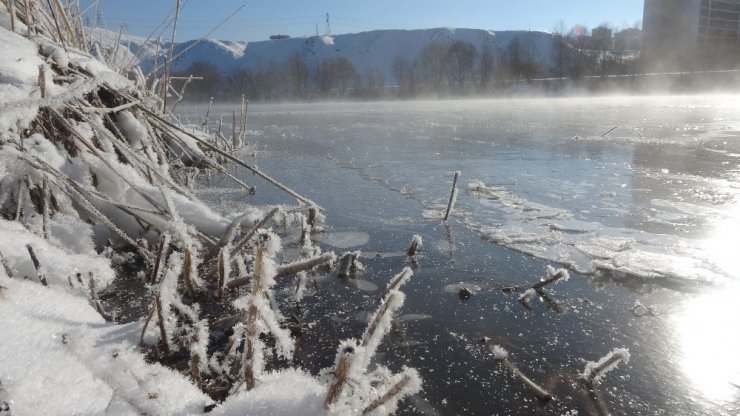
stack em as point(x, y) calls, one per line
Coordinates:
point(441, 68)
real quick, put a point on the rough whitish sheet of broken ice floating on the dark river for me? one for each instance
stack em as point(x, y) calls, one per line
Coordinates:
point(585, 246)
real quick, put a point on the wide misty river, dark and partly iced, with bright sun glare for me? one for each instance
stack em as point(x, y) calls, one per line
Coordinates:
point(638, 197)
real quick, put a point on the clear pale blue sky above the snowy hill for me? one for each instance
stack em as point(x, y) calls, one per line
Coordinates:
point(261, 18)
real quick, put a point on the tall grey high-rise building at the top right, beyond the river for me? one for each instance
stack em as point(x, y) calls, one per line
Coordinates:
point(677, 32)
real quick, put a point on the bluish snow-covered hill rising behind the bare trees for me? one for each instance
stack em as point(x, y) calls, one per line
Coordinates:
point(368, 51)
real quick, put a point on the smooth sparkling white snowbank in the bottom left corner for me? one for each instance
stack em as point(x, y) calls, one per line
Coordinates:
point(59, 357)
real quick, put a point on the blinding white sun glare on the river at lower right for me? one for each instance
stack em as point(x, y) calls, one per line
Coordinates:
point(709, 342)
